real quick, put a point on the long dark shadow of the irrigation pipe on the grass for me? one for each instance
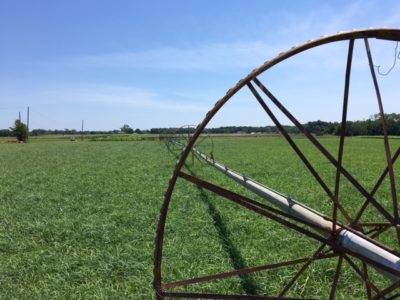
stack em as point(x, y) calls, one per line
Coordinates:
point(248, 284)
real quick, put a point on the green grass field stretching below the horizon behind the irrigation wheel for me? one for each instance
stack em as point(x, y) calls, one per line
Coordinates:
point(78, 220)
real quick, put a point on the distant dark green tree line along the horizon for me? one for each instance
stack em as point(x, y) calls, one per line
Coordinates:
point(371, 126)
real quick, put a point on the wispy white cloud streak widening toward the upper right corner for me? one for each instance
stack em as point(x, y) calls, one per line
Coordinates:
point(250, 52)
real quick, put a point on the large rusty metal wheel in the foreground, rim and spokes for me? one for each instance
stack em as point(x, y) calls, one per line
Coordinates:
point(373, 230)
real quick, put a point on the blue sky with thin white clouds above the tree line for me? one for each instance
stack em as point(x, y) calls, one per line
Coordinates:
point(165, 63)
